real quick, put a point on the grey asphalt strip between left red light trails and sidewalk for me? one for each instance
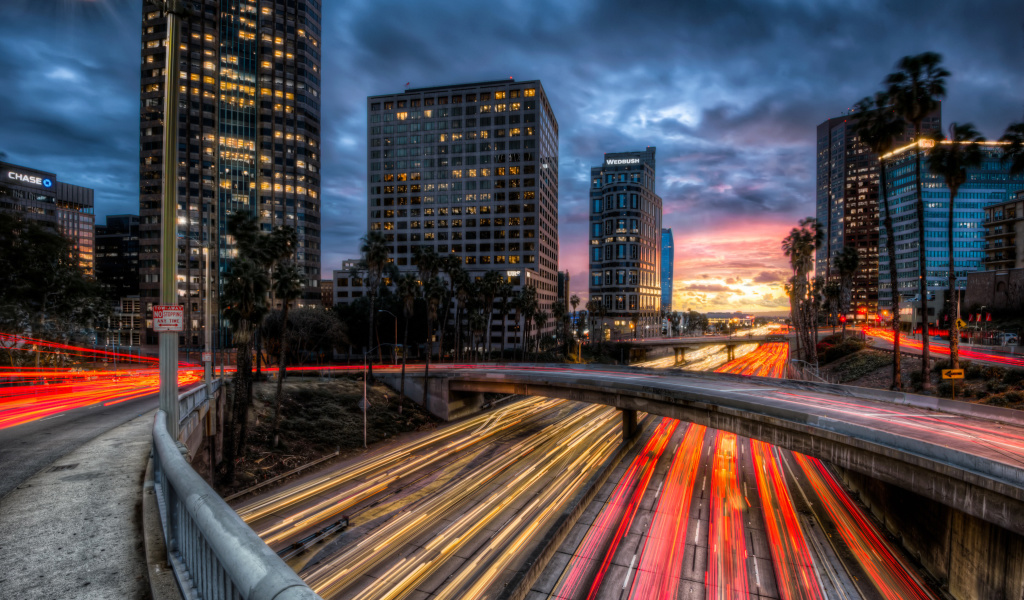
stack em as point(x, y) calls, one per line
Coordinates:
point(26, 450)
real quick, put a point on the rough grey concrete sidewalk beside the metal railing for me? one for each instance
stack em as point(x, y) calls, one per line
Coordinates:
point(74, 531)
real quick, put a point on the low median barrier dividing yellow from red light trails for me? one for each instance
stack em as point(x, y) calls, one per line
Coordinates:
point(520, 586)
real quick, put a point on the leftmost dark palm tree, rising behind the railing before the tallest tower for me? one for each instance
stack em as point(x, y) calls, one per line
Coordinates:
point(244, 303)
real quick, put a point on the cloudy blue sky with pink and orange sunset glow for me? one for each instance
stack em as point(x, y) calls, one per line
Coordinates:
point(730, 92)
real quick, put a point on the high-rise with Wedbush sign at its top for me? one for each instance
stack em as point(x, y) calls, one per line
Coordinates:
point(626, 245)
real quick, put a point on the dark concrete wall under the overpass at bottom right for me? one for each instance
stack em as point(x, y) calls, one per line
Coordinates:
point(970, 559)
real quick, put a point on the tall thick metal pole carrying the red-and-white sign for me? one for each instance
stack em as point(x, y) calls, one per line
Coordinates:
point(169, 219)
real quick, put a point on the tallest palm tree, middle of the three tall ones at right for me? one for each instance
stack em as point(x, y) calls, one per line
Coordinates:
point(916, 90)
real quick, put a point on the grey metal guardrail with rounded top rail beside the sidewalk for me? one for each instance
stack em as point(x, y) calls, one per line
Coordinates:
point(214, 553)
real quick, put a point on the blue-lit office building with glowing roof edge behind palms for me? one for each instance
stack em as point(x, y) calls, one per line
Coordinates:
point(987, 186)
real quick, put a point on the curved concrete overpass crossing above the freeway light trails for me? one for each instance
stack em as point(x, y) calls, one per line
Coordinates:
point(967, 457)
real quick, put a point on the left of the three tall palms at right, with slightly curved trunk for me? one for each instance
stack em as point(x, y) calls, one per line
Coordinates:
point(878, 126)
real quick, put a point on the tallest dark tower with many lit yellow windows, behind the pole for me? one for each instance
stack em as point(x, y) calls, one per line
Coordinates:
point(248, 141)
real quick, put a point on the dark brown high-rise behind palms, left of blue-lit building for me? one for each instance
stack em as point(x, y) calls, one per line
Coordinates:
point(847, 203)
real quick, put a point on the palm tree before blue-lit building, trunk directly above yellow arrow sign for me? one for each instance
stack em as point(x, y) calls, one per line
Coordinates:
point(951, 161)
